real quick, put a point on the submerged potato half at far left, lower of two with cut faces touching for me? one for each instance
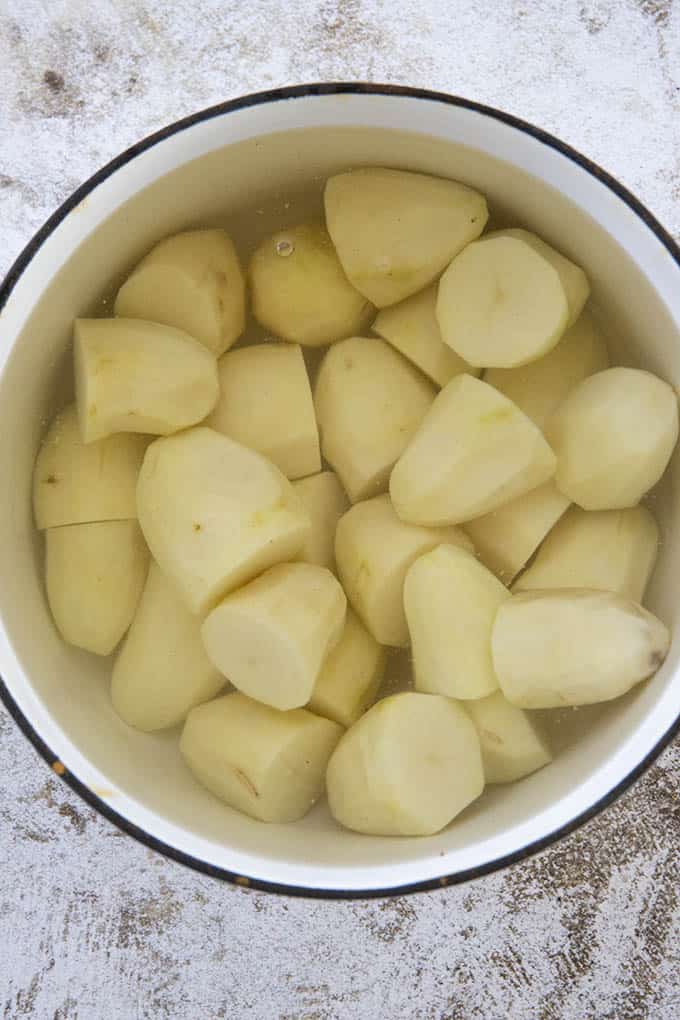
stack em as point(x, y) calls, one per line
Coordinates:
point(94, 576)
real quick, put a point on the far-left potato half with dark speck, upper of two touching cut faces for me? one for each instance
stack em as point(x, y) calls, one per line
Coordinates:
point(76, 483)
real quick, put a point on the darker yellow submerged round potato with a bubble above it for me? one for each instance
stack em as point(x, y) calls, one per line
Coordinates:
point(300, 291)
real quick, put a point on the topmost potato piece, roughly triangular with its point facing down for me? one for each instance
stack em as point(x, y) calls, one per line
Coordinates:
point(395, 232)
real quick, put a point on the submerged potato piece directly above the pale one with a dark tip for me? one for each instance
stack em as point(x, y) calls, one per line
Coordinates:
point(608, 550)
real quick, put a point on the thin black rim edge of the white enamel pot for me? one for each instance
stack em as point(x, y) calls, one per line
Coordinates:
point(256, 99)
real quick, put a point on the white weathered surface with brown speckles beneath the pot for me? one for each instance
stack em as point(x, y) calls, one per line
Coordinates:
point(95, 927)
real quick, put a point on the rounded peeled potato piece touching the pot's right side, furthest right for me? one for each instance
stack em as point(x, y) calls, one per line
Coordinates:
point(614, 436)
